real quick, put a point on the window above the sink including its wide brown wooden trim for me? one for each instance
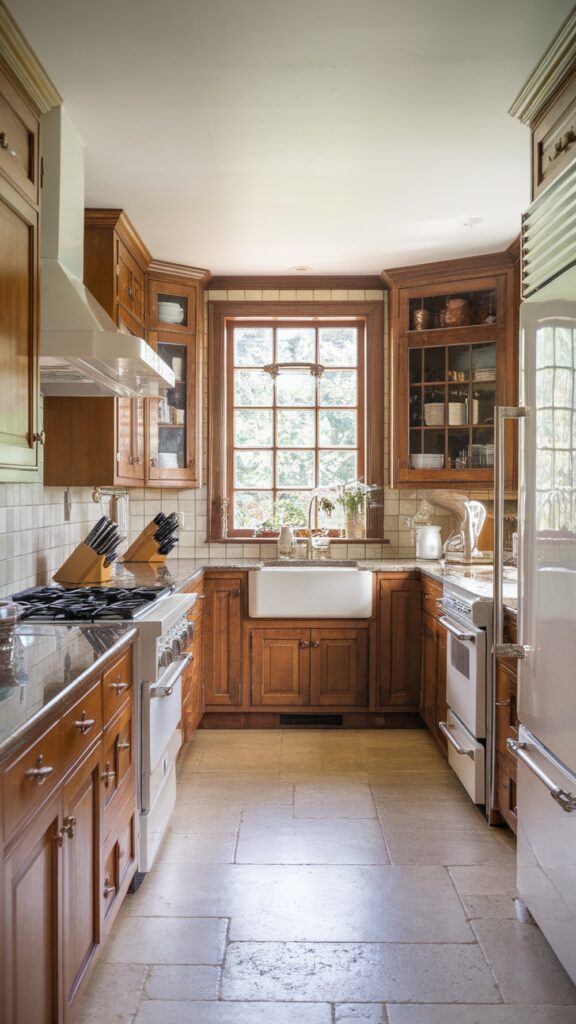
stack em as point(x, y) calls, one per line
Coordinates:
point(296, 405)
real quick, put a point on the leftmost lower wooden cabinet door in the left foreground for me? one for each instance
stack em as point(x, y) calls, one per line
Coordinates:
point(32, 884)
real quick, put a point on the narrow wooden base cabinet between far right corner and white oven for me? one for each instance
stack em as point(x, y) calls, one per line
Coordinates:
point(433, 660)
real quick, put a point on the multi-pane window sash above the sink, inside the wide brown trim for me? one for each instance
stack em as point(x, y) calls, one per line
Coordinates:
point(296, 418)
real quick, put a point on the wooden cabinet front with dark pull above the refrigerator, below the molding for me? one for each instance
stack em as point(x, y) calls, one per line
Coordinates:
point(555, 139)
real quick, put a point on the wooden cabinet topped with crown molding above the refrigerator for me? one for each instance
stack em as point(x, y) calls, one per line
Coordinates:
point(548, 105)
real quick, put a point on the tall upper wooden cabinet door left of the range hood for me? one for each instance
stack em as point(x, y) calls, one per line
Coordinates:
point(19, 337)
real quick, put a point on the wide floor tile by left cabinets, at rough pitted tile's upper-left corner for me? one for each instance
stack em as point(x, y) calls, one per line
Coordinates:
point(167, 941)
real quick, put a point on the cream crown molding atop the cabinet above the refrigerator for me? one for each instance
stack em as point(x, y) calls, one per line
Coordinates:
point(558, 61)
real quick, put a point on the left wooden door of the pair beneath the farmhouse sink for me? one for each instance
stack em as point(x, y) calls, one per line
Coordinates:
point(280, 667)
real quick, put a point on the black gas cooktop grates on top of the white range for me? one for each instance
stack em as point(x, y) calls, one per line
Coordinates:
point(86, 604)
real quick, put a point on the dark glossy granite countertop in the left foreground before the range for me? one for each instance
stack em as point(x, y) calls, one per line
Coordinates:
point(49, 661)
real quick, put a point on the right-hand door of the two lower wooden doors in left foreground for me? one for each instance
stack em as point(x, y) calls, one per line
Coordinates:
point(80, 852)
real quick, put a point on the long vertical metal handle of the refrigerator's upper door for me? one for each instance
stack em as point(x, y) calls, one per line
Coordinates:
point(501, 649)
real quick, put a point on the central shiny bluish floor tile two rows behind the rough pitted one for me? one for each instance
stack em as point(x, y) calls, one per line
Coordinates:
point(312, 841)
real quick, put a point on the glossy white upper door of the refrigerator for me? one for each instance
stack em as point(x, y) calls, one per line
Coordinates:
point(547, 691)
